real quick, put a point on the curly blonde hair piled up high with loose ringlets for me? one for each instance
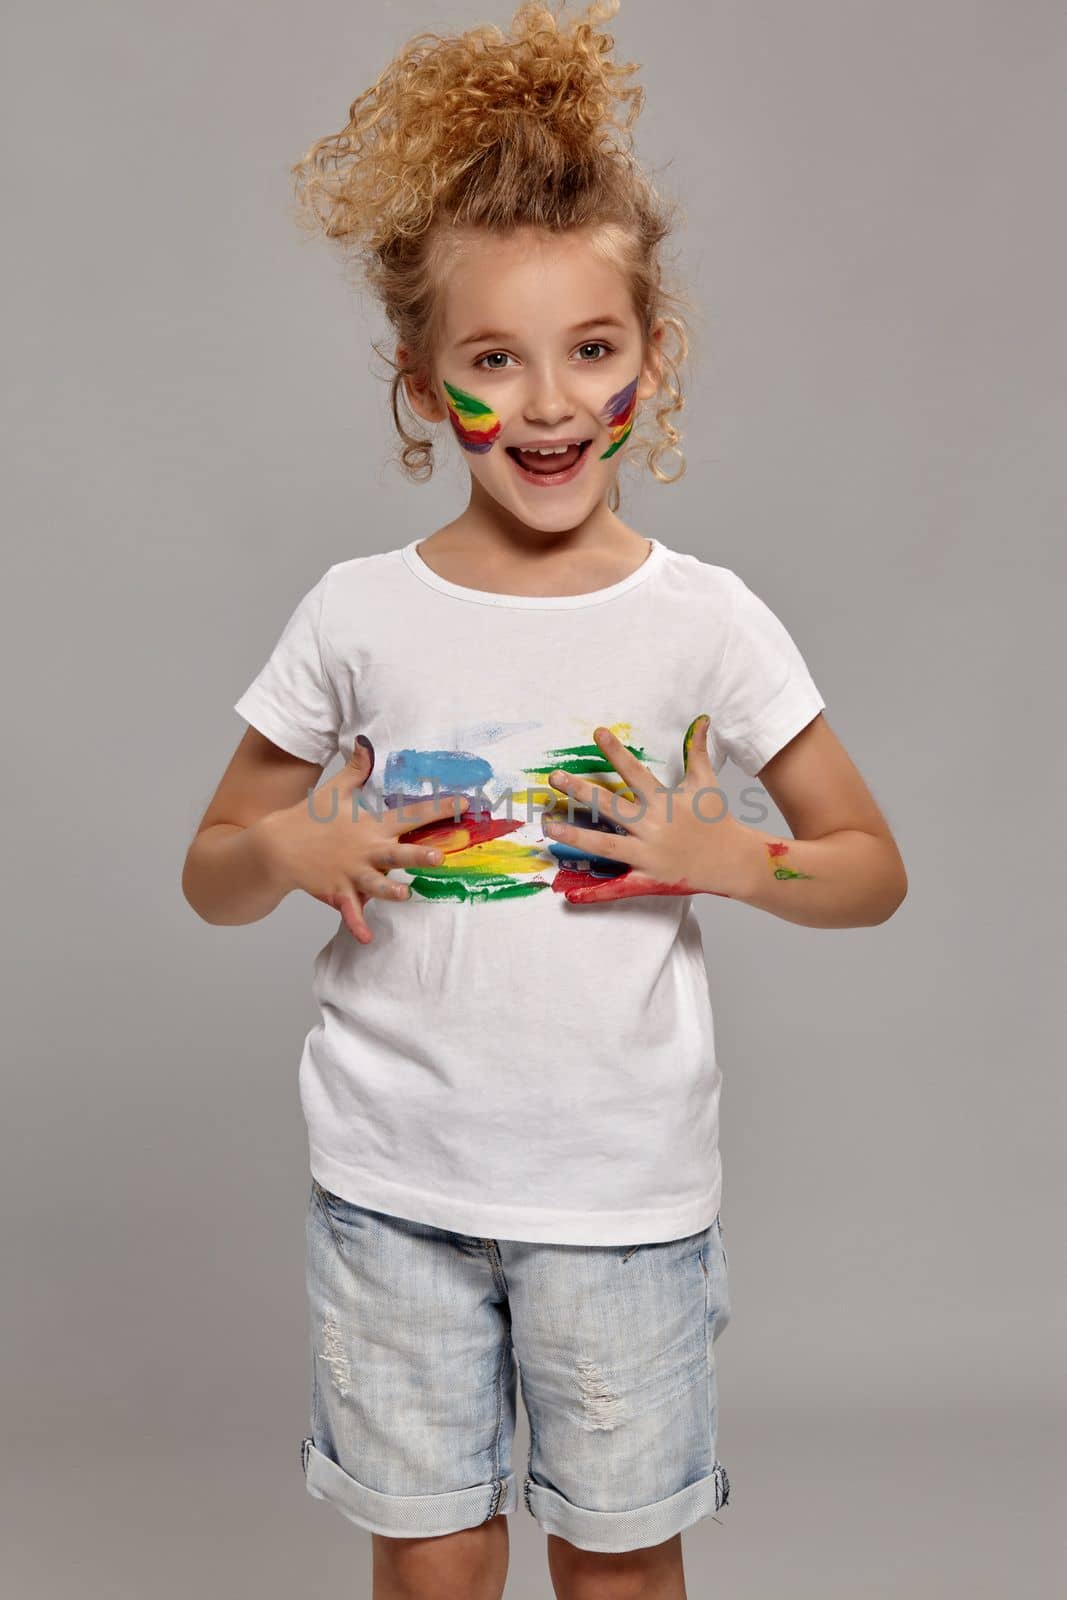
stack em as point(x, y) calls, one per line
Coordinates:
point(495, 130)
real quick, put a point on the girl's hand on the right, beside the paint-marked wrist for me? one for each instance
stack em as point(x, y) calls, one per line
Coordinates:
point(677, 842)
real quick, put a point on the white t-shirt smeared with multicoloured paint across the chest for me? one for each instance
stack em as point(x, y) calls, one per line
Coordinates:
point(498, 1062)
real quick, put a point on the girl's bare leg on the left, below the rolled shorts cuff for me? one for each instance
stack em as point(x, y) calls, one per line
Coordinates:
point(466, 1566)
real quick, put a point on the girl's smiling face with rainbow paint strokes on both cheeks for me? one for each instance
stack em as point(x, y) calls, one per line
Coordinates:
point(540, 348)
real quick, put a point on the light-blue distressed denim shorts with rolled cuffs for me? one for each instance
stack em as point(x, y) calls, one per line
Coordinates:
point(418, 1337)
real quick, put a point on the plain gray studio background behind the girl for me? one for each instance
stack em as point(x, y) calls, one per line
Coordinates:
point(194, 431)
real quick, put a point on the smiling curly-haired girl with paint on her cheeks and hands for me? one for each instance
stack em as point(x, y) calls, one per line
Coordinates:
point(513, 1092)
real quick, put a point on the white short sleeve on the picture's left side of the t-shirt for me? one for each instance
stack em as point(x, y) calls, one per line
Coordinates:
point(292, 700)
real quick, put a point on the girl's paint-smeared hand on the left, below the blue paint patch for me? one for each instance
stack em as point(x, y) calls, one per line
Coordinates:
point(340, 852)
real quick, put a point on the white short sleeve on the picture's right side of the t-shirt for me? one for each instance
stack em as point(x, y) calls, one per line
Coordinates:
point(764, 692)
